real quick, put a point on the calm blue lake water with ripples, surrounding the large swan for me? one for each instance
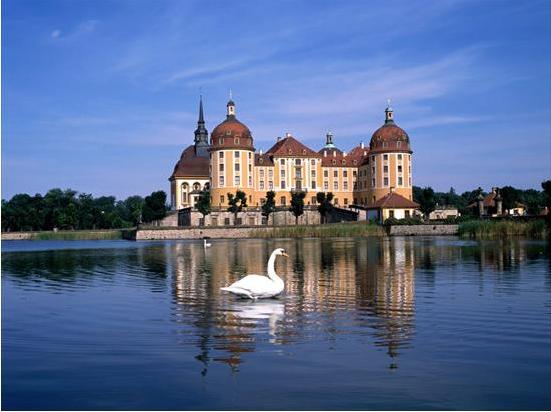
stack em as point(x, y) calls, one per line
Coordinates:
point(405, 323)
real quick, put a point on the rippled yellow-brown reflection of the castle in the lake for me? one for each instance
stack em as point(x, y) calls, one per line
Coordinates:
point(342, 283)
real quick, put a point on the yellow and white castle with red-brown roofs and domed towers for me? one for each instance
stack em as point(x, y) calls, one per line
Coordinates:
point(369, 177)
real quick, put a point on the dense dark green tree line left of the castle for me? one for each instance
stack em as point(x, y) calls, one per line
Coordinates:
point(71, 210)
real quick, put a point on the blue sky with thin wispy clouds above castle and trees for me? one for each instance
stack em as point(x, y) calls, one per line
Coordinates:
point(101, 96)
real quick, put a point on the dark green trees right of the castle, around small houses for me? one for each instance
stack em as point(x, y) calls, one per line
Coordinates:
point(534, 200)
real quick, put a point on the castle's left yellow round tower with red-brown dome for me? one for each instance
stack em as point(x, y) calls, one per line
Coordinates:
point(231, 159)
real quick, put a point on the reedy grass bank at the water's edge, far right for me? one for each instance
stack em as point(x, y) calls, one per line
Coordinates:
point(503, 228)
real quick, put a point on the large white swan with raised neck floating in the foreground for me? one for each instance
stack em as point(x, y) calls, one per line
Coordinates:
point(256, 286)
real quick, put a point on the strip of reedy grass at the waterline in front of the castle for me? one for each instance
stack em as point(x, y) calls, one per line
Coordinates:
point(329, 230)
